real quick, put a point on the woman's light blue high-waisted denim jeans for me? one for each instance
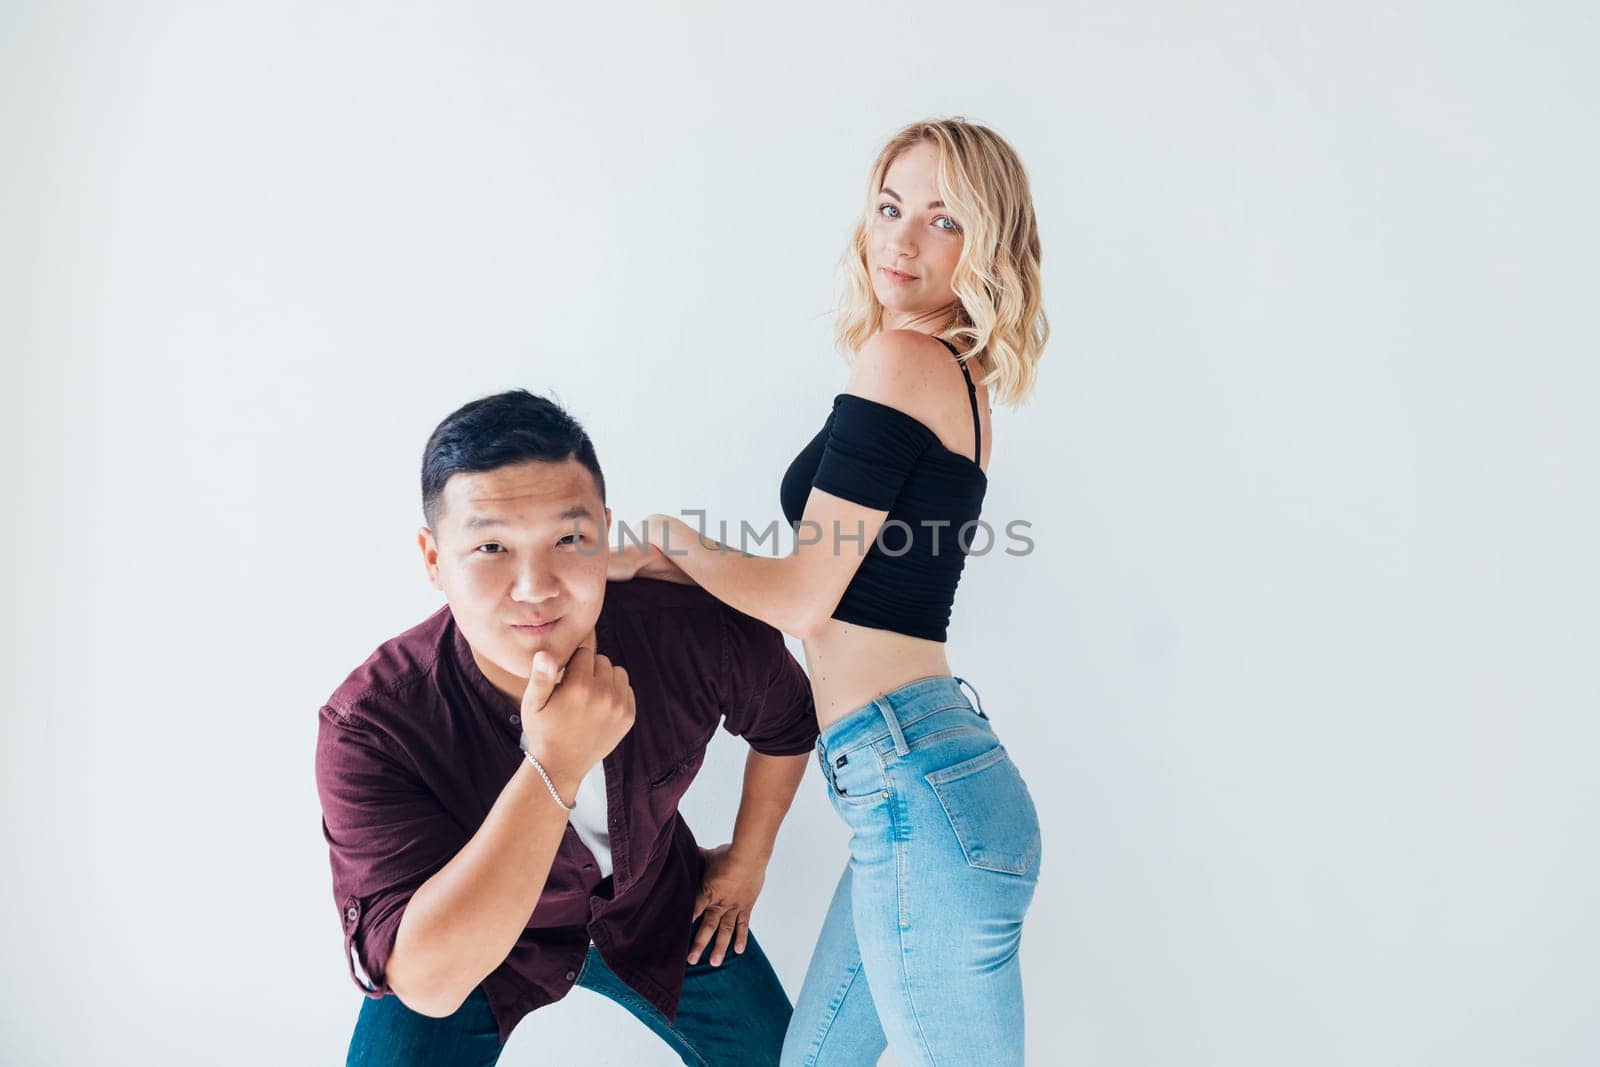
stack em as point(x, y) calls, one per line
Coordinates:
point(919, 949)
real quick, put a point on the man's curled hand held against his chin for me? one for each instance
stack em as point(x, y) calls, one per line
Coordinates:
point(575, 716)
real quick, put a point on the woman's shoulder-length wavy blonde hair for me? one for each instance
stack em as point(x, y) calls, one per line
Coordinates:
point(1001, 311)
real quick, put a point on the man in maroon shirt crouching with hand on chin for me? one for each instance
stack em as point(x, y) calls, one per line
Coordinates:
point(500, 785)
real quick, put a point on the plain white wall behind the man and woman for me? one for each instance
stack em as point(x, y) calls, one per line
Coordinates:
point(1302, 671)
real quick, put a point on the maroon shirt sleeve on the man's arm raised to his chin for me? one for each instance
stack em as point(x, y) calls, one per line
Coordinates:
point(386, 836)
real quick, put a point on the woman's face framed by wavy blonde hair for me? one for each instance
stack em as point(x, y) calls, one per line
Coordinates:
point(913, 244)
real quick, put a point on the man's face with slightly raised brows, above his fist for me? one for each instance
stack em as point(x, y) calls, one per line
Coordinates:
point(521, 556)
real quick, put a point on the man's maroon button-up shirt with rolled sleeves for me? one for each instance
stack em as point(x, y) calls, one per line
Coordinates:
point(417, 745)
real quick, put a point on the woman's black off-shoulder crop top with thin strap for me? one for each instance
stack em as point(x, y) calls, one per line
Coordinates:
point(882, 458)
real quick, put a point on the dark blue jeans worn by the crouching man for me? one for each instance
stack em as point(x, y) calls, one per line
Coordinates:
point(735, 1013)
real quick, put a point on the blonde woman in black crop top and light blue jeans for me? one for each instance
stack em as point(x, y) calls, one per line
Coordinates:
point(921, 945)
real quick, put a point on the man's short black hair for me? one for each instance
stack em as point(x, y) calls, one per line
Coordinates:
point(500, 431)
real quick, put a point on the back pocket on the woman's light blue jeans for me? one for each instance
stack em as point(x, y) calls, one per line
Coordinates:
point(991, 812)
